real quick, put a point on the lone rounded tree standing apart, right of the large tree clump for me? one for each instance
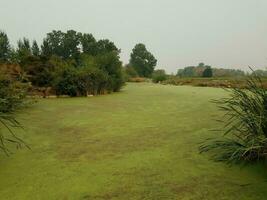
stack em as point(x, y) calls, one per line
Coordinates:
point(142, 61)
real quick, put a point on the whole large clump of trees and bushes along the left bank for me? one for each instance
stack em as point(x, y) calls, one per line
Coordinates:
point(71, 63)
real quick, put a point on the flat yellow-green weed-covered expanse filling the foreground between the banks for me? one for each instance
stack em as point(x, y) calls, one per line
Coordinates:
point(141, 143)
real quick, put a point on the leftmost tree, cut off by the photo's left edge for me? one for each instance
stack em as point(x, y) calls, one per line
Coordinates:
point(5, 48)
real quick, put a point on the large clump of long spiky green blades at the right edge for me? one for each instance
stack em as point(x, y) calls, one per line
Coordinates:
point(244, 128)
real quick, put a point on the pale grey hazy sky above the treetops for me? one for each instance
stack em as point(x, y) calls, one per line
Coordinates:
point(222, 33)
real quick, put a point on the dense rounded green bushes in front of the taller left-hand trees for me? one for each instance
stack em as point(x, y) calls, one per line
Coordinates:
point(95, 75)
